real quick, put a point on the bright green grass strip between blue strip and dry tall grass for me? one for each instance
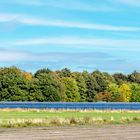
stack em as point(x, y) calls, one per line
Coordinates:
point(32, 114)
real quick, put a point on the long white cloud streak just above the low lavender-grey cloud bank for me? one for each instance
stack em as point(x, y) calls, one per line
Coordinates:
point(101, 42)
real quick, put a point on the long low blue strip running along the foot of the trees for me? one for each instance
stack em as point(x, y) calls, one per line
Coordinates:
point(70, 105)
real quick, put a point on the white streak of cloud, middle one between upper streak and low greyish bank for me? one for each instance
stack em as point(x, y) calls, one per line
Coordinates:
point(100, 43)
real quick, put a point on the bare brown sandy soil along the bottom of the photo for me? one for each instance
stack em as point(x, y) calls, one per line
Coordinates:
point(106, 132)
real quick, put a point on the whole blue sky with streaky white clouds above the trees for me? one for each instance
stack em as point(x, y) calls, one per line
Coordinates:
point(77, 34)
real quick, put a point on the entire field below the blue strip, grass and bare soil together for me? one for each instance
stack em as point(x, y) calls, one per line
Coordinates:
point(69, 124)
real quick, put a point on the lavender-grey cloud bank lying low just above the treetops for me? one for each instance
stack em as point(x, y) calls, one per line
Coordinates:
point(56, 60)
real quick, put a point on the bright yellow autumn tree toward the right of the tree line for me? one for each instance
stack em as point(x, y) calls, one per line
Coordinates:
point(125, 93)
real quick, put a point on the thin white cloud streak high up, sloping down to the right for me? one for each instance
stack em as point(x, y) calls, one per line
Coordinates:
point(33, 21)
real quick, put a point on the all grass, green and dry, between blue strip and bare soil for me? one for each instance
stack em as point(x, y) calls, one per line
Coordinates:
point(26, 118)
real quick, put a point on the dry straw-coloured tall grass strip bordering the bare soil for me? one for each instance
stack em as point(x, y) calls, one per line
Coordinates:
point(66, 121)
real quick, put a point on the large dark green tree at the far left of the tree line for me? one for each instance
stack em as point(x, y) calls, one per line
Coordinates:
point(13, 85)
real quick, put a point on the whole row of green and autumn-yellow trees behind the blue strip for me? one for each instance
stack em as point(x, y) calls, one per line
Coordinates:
point(67, 86)
